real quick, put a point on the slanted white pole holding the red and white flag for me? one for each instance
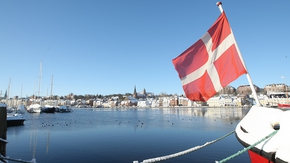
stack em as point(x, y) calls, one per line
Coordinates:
point(219, 4)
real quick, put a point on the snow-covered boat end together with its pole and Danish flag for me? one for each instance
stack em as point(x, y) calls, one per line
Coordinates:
point(211, 64)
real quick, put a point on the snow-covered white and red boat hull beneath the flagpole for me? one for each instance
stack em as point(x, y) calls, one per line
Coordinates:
point(260, 122)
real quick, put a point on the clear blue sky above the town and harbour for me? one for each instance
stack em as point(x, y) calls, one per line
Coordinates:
point(109, 46)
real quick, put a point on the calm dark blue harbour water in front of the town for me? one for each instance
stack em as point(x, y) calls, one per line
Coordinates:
point(126, 135)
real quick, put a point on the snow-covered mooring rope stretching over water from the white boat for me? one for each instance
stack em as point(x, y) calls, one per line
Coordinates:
point(162, 158)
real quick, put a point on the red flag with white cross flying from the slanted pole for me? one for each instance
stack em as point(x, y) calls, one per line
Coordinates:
point(211, 63)
